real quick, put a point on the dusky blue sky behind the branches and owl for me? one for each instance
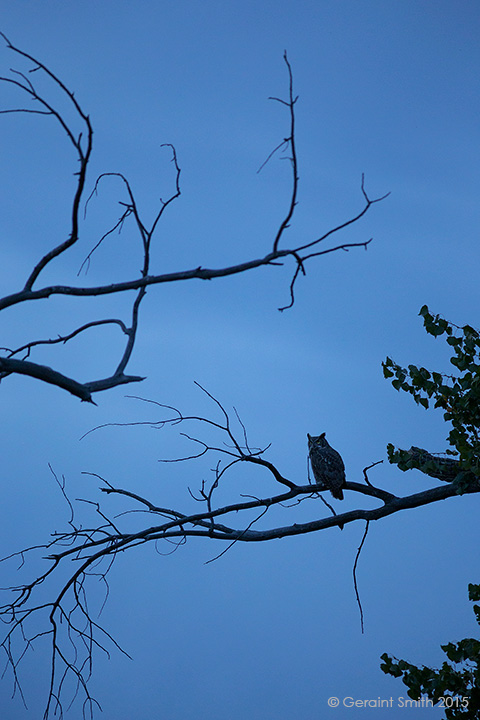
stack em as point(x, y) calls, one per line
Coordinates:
point(389, 89)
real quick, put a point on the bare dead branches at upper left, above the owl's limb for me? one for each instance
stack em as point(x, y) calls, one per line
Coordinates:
point(81, 141)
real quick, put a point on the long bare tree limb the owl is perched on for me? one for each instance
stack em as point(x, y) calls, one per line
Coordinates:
point(85, 551)
